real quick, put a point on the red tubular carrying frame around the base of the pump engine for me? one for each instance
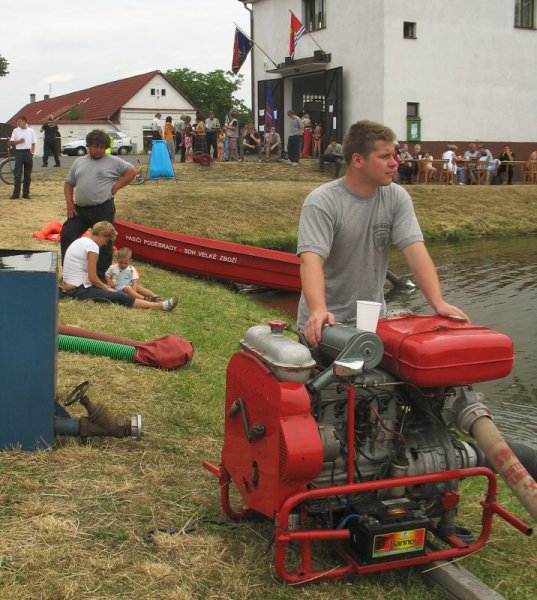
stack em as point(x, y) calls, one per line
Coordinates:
point(304, 573)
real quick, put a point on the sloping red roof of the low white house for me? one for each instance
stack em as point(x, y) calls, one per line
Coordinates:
point(98, 104)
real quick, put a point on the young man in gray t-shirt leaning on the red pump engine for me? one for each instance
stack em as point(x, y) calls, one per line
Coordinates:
point(346, 229)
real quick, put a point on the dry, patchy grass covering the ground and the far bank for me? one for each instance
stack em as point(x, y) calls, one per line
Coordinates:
point(73, 518)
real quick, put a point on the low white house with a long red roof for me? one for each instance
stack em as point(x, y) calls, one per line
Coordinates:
point(128, 105)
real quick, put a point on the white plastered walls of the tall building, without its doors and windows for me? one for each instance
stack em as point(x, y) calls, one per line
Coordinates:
point(471, 71)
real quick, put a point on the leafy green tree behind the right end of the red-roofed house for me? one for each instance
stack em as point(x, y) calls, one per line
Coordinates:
point(211, 91)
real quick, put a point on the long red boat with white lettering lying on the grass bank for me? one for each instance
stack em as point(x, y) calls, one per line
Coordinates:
point(211, 258)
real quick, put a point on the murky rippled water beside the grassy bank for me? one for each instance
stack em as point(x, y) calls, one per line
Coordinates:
point(495, 283)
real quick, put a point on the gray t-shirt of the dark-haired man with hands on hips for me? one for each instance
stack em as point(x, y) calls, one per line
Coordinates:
point(94, 178)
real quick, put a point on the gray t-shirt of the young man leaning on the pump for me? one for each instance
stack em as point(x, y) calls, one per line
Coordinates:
point(353, 235)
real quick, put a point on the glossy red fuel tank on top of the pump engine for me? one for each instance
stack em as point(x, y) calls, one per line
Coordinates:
point(433, 351)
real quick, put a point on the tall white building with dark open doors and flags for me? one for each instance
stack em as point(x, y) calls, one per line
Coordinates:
point(435, 71)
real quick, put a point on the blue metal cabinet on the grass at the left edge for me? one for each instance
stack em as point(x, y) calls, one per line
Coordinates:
point(28, 330)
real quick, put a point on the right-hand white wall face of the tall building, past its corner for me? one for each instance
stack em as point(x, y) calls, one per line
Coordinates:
point(471, 71)
